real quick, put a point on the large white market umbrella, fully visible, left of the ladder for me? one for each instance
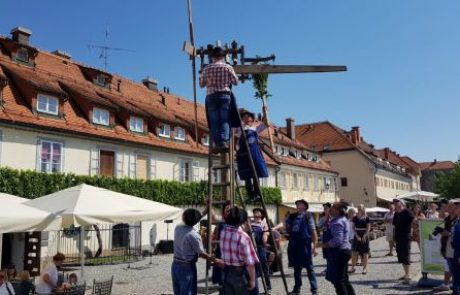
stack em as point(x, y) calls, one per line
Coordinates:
point(87, 205)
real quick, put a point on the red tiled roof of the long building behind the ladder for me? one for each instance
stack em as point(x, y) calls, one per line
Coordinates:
point(57, 75)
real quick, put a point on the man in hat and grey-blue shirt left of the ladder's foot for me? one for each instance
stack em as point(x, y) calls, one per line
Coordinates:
point(187, 248)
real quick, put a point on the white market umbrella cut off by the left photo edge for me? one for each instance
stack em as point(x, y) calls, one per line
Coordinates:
point(17, 217)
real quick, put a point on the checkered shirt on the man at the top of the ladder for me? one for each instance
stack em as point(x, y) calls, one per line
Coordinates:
point(217, 77)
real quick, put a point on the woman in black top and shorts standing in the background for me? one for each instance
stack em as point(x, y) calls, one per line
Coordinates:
point(362, 227)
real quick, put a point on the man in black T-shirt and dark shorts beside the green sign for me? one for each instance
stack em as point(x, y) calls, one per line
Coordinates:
point(402, 221)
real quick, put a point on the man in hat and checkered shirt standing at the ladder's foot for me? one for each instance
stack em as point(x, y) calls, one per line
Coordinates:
point(238, 254)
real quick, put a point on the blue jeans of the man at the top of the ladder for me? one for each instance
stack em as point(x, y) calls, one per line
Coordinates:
point(218, 113)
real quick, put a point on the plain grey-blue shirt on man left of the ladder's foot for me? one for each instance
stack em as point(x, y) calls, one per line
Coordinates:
point(187, 243)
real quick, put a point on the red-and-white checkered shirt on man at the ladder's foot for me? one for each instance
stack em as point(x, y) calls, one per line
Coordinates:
point(237, 248)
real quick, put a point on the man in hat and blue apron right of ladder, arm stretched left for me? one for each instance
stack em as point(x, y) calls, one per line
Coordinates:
point(301, 247)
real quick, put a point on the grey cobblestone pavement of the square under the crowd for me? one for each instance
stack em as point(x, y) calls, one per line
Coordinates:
point(145, 278)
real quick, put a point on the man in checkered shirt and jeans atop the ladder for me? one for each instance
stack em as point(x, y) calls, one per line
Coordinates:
point(217, 77)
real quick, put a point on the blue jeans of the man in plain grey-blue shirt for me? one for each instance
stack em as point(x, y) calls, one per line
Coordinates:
point(184, 278)
